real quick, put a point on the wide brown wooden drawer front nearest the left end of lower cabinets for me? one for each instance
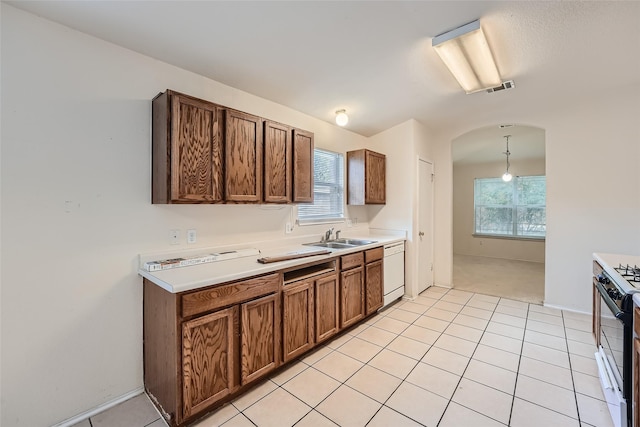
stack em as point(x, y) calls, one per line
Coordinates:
point(227, 294)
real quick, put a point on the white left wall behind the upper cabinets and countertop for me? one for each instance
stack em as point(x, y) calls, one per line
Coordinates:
point(76, 211)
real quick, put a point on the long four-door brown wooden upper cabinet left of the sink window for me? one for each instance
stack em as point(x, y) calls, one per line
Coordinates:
point(208, 153)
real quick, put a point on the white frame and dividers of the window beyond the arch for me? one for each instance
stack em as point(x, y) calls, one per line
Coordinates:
point(514, 206)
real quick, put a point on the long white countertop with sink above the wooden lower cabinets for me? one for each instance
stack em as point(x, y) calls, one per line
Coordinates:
point(196, 276)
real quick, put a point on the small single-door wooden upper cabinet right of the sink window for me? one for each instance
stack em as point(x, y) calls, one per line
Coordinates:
point(366, 175)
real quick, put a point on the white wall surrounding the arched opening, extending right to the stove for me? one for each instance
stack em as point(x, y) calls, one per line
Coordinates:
point(593, 184)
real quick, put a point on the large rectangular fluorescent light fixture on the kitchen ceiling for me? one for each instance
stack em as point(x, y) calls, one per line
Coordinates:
point(466, 53)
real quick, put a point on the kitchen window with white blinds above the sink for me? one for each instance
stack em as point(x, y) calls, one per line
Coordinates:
point(328, 189)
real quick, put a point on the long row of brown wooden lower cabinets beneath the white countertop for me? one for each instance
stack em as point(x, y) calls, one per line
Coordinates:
point(204, 347)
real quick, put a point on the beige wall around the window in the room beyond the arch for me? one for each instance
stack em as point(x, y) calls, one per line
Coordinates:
point(464, 242)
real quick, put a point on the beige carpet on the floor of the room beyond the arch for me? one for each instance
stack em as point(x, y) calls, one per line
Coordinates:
point(518, 280)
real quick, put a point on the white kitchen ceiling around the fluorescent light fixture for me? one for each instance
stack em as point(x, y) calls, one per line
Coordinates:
point(374, 59)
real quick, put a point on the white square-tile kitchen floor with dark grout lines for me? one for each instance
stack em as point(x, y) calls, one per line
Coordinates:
point(450, 358)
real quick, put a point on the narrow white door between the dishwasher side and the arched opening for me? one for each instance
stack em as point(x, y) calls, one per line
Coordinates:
point(425, 225)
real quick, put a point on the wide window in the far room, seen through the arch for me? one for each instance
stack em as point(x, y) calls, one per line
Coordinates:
point(511, 209)
